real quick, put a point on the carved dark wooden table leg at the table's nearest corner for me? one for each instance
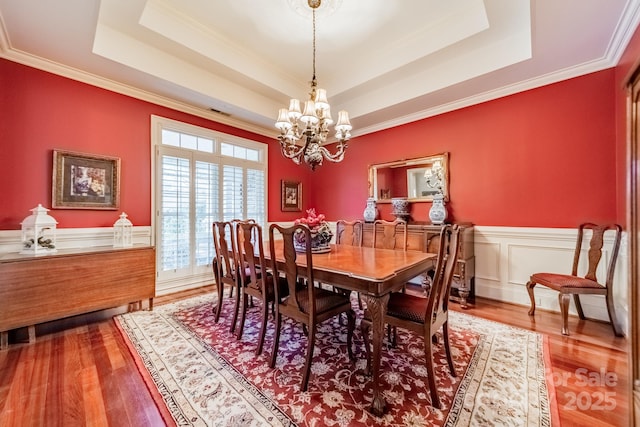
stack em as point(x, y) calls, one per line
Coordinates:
point(377, 307)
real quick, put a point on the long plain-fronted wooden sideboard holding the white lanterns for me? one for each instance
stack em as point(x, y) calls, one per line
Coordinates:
point(37, 289)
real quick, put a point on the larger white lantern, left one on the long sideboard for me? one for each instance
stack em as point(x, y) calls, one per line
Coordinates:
point(39, 232)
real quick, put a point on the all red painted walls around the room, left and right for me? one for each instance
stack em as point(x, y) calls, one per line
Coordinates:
point(549, 157)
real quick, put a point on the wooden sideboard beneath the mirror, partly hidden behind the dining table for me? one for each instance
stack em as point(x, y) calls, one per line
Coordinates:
point(425, 237)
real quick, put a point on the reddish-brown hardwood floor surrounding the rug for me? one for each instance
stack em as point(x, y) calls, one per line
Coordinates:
point(79, 371)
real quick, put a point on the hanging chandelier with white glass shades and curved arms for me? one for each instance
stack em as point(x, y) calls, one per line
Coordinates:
point(304, 133)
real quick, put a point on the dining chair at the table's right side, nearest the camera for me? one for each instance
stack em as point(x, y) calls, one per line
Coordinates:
point(425, 315)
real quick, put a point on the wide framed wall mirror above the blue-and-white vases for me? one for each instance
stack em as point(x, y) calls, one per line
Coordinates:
point(416, 179)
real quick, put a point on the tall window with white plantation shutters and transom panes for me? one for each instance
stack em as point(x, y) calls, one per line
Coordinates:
point(201, 176)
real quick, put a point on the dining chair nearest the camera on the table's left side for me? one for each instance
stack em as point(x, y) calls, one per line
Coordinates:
point(305, 303)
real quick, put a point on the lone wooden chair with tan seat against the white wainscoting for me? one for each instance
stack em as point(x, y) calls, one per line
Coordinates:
point(576, 285)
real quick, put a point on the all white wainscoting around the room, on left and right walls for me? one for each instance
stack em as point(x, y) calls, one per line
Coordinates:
point(505, 258)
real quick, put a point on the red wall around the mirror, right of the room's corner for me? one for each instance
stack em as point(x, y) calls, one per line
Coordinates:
point(541, 158)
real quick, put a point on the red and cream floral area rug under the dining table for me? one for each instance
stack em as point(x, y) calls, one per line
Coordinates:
point(201, 375)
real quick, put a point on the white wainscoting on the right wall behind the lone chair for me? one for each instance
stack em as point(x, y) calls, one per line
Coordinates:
point(507, 256)
